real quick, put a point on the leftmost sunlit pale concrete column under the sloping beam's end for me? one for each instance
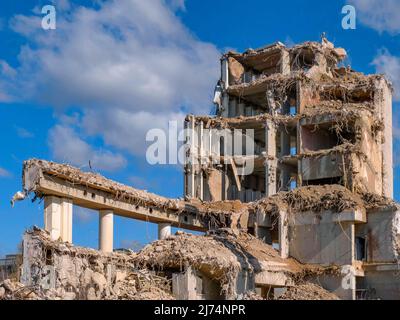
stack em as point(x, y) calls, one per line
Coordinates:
point(52, 216)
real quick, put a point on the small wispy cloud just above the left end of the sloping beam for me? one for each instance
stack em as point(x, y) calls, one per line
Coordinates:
point(67, 146)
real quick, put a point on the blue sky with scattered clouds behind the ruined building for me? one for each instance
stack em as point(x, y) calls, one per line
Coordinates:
point(91, 89)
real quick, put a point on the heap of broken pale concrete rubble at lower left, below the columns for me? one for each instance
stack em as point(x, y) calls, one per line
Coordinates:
point(57, 270)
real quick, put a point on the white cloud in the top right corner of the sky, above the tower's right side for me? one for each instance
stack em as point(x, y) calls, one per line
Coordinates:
point(381, 15)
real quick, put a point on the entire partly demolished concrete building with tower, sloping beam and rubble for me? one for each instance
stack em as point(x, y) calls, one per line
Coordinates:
point(305, 212)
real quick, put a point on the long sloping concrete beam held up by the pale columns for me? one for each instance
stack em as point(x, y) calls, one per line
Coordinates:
point(96, 199)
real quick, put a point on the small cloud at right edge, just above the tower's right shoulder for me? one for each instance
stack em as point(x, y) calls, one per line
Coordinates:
point(389, 65)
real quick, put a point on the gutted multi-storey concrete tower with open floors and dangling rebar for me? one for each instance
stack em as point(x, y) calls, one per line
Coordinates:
point(314, 122)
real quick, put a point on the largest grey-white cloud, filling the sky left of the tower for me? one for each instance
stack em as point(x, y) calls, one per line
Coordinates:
point(129, 65)
